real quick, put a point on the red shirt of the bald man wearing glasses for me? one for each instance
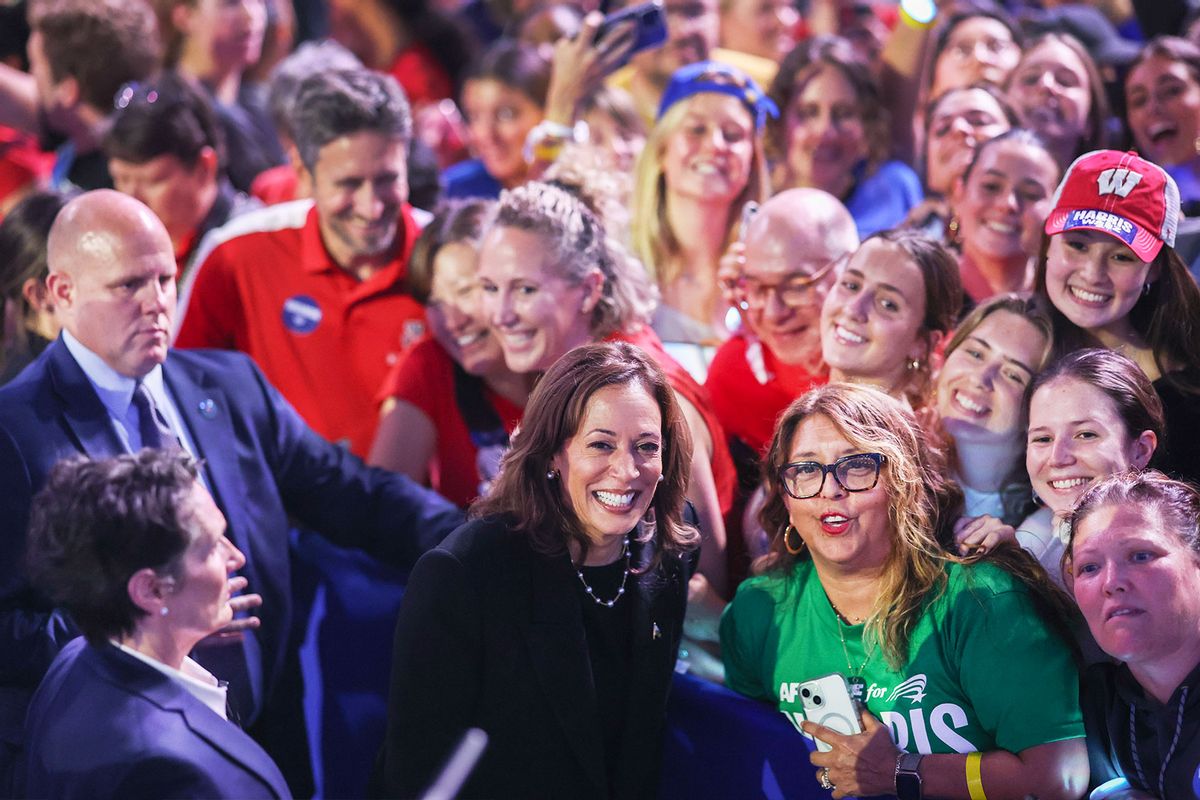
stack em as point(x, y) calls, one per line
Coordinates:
point(747, 406)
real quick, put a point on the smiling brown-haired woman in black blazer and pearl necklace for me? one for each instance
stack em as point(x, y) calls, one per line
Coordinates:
point(551, 621)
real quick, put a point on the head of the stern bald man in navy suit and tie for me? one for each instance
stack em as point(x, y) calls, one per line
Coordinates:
point(113, 280)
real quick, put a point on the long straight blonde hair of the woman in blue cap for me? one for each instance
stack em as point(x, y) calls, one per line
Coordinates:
point(652, 238)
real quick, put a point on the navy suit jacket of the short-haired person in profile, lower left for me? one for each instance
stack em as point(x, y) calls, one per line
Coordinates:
point(105, 725)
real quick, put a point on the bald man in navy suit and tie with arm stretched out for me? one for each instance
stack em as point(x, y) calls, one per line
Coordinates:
point(113, 284)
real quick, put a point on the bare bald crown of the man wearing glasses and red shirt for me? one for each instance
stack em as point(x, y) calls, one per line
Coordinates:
point(806, 224)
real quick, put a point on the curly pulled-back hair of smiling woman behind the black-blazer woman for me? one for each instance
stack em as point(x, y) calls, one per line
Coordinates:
point(577, 244)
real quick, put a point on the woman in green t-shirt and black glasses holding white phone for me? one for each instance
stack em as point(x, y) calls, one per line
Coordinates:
point(968, 693)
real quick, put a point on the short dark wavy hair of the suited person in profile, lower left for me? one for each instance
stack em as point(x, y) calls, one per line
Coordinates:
point(95, 524)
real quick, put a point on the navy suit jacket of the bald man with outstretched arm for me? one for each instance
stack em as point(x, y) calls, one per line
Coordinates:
point(263, 465)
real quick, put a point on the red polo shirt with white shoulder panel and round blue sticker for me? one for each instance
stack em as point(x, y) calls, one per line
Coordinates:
point(266, 286)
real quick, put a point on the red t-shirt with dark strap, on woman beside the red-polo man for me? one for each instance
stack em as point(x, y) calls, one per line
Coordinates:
point(424, 377)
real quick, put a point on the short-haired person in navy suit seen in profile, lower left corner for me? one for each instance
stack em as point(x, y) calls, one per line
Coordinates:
point(135, 548)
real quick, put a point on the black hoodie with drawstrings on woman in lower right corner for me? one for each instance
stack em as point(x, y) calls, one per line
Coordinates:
point(1115, 706)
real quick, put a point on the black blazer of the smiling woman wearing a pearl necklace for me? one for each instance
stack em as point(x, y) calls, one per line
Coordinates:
point(491, 635)
